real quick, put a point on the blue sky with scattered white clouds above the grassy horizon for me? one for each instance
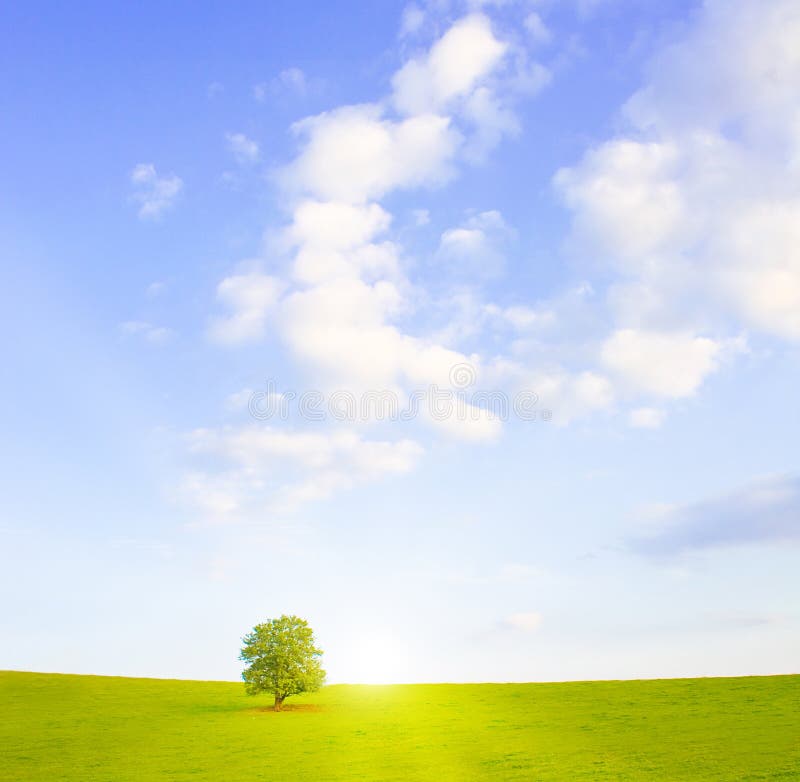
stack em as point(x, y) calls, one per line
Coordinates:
point(594, 201)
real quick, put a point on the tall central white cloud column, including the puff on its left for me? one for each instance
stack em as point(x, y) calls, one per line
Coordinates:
point(342, 313)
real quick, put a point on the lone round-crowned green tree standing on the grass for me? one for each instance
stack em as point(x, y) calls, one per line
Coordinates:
point(282, 659)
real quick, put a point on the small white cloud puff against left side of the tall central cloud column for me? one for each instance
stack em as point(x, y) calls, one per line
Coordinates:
point(250, 296)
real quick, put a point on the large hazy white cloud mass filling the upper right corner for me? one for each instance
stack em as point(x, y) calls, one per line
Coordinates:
point(696, 206)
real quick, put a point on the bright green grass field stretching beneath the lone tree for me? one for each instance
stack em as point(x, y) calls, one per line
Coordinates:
point(57, 727)
